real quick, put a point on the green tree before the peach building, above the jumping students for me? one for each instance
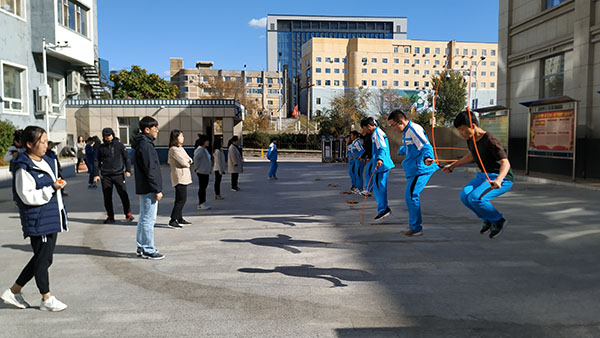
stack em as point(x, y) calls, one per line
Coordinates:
point(451, 96)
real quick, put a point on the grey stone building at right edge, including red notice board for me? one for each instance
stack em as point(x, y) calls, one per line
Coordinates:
point(550, 63)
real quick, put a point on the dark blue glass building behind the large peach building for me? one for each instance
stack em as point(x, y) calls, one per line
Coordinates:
point(287, 33)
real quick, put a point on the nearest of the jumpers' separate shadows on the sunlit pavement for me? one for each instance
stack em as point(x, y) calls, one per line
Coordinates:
point(333, 275)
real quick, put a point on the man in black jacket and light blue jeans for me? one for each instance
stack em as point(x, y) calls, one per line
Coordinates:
point(148, 185)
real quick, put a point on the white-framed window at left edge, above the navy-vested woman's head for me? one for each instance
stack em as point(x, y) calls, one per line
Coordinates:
point(14, 84)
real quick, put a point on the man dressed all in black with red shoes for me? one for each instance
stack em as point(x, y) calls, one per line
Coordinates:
point(112, 163)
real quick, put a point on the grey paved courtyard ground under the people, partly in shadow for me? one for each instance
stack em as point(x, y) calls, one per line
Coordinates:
point(292, 259)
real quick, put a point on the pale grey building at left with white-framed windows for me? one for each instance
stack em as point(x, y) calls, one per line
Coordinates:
point(70, 30)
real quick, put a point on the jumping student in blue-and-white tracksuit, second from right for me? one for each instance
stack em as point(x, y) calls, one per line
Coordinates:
point(418, 166)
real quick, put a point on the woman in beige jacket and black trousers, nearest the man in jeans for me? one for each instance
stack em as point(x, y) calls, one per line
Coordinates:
point(181, 176)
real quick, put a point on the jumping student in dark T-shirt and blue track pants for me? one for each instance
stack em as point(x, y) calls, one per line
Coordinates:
point(479, 192)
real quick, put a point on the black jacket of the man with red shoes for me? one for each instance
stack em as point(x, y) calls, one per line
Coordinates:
point(112, 159)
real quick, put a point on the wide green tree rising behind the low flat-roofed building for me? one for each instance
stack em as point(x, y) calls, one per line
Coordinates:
point(138, 84)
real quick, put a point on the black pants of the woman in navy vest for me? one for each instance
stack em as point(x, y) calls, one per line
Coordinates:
point(39, 263)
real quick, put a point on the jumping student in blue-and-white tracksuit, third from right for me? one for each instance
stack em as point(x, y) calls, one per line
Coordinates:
point(382, 163)
